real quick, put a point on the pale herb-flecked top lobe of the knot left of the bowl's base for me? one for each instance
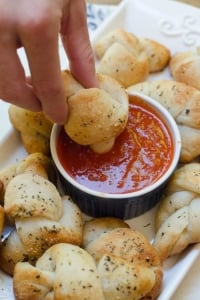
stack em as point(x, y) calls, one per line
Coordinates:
point(30, 195)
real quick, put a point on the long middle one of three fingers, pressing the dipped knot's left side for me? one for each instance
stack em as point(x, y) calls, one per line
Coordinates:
point(40, 40)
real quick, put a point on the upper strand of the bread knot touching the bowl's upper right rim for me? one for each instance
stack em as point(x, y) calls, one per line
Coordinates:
point(181, 100)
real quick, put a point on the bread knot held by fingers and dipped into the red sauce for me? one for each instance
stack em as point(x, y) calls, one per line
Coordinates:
point(96, 115)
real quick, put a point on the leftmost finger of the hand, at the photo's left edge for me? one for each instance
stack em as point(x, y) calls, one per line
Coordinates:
point(13, 85)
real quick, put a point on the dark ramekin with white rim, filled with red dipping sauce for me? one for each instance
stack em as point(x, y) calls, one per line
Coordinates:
point(128, 180)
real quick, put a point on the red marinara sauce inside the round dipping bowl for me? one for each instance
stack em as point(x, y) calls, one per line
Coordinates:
point(141, 154)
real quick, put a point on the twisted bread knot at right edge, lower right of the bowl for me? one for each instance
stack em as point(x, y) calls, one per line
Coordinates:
point(178, 216)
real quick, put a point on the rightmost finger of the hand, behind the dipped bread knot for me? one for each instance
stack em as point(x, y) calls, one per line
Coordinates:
point(75, 38)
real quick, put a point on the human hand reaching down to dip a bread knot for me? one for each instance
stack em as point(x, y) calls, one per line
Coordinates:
point(35, 25)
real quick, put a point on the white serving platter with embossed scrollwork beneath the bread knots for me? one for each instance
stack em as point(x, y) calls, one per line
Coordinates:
point(169, 22)
